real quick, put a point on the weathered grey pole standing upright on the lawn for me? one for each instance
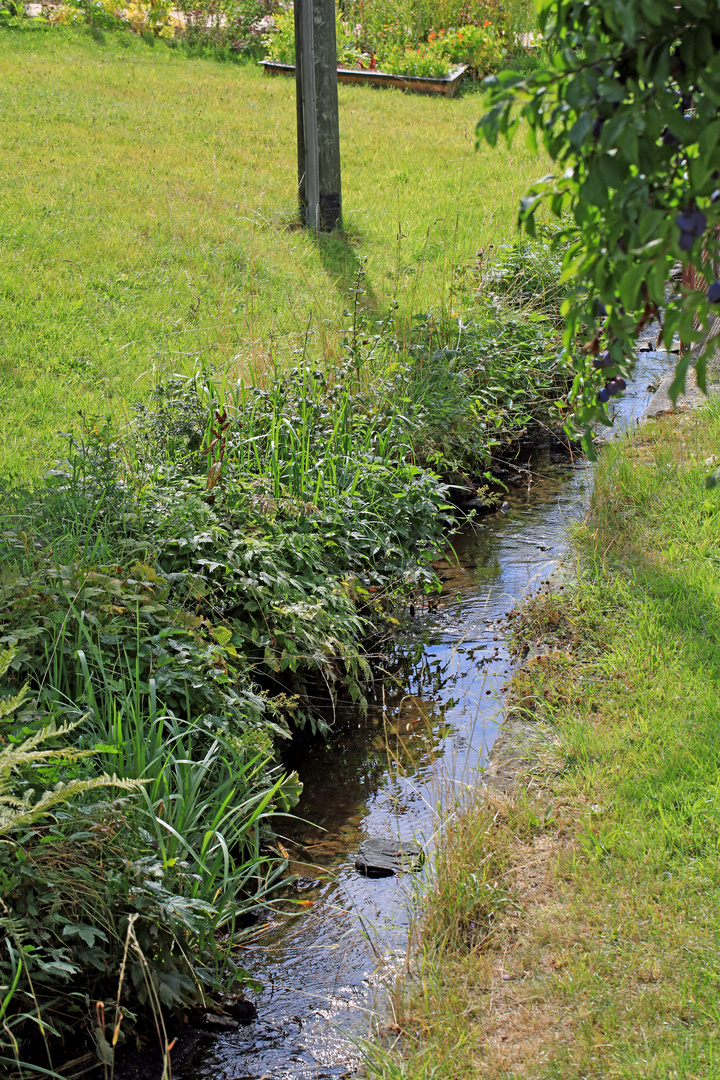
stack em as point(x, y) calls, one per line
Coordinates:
point(319, 129)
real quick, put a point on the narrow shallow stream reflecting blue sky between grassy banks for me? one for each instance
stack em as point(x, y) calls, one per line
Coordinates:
point(387, 775)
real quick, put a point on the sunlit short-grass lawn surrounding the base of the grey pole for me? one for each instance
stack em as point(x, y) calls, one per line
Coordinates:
point(148, 219)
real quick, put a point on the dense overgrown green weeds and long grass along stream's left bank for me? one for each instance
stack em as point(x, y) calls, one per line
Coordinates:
point(184, 593)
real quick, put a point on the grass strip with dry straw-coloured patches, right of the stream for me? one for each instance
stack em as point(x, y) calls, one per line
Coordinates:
point(605, 962)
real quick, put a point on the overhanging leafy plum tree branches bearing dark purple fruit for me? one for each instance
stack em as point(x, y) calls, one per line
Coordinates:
point(628, 111)
